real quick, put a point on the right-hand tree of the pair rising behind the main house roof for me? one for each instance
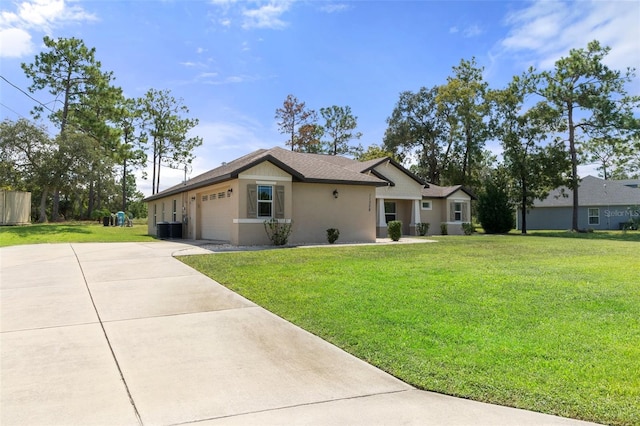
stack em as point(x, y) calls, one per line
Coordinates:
point(339, 129)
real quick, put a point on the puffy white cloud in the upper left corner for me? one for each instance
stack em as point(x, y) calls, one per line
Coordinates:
point(41, 16)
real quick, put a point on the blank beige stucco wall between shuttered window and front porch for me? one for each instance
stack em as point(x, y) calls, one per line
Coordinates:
point(315, 210)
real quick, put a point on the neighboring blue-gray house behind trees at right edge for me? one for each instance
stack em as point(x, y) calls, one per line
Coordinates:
point(604, 204)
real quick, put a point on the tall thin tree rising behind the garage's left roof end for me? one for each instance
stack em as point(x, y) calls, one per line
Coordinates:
point(161, 116)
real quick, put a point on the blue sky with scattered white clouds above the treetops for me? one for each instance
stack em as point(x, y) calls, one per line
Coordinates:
point(234, 62)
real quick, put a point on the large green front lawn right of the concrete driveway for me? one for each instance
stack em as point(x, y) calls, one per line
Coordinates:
point(546, 324)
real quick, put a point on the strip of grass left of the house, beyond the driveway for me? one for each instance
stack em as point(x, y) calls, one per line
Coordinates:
point(71, 232)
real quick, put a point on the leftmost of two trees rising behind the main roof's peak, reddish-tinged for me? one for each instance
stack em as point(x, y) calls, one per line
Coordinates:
point(294, 116)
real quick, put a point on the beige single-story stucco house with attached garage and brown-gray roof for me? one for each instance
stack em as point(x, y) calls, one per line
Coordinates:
point(312, 191)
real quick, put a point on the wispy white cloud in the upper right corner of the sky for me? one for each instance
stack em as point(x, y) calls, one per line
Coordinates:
point(545, 31)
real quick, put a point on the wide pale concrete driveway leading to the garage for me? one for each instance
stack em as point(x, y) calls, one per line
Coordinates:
point(124, 334)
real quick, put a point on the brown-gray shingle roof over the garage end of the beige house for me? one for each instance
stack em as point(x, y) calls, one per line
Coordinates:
point(303, 167)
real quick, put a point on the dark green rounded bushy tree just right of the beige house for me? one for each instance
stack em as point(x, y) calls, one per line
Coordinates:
point(495, 210)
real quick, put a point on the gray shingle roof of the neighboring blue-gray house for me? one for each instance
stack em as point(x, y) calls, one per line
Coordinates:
point(593, 191)
